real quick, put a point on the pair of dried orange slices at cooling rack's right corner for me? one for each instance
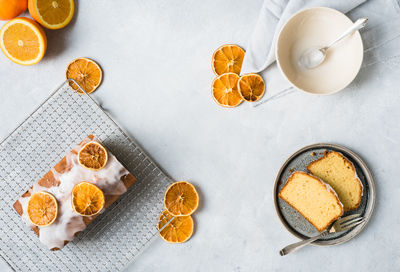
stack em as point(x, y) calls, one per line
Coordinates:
point(176, 223)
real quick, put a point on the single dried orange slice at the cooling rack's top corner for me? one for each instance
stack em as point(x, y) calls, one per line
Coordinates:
point(86, 72)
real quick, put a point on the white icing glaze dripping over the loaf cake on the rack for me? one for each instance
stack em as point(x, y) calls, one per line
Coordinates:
point(68, 223)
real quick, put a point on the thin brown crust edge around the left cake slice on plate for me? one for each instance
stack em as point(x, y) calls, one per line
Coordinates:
point(320, 229)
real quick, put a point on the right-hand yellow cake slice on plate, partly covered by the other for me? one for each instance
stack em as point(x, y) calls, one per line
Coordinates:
point(339, 173)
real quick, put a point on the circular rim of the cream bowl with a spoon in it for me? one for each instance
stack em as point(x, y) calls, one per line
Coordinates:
point(357, 33)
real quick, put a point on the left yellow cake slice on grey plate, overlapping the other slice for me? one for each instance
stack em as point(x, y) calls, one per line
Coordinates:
point(313, 199)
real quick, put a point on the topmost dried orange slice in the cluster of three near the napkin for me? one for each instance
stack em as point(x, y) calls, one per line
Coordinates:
point(228, 59)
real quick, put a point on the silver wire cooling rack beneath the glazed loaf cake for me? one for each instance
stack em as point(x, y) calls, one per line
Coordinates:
point(112, 241)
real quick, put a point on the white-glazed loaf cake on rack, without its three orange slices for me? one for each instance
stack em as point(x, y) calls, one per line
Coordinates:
point(114, 180)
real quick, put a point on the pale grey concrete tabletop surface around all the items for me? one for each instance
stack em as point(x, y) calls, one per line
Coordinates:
point(157, 77)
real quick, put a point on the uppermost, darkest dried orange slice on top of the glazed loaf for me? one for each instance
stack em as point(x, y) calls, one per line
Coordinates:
point(93, 156)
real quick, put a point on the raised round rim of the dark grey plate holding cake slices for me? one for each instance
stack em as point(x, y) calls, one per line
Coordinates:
point(369, 207)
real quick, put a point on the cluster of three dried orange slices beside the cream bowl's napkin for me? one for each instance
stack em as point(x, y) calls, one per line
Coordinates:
point(228, 88)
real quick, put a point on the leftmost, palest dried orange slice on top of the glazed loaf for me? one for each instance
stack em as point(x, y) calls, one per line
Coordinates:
point(42, 209)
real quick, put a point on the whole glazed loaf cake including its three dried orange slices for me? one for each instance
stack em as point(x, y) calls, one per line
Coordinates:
point(73, 193)
